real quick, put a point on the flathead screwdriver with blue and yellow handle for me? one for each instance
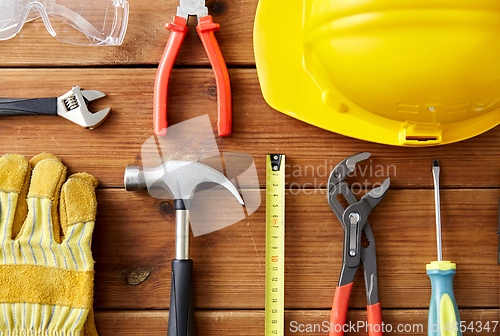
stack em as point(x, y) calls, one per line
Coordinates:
point(444, 319)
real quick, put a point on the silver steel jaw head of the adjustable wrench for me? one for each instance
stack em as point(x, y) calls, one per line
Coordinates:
point(73, 106)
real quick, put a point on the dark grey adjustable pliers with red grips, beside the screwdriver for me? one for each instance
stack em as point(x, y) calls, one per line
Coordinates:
point(354, 220)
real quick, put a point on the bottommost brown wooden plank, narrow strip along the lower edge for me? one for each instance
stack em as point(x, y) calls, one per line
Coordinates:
point(249, 323)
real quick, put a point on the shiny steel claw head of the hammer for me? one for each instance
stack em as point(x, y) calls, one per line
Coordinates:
point(180, 177)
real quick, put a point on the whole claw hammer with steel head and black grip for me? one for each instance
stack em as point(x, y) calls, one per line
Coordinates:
point(181, 178)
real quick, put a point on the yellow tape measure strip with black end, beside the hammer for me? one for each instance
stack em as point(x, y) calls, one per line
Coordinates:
point(275, 245)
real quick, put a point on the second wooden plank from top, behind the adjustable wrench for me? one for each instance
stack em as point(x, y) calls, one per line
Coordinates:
point(257, 130)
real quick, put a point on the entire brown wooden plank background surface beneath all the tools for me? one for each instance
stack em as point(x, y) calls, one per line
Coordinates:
point(134, 239)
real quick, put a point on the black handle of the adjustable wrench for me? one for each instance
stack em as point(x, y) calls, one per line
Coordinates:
point(12, 107)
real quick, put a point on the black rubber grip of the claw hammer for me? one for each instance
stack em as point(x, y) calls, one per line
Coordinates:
point(181, 311)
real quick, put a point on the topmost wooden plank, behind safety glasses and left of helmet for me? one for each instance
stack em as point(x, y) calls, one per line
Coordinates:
point(144, 42)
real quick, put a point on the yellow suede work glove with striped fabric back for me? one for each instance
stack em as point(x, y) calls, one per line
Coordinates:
point(46, 266)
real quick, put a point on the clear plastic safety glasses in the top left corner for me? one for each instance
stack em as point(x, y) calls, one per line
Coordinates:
point(83, 22)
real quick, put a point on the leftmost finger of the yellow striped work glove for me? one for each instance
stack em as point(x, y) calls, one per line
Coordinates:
point(14, 182)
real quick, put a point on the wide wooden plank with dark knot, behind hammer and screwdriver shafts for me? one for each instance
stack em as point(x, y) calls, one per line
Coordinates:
point(135, 231)
